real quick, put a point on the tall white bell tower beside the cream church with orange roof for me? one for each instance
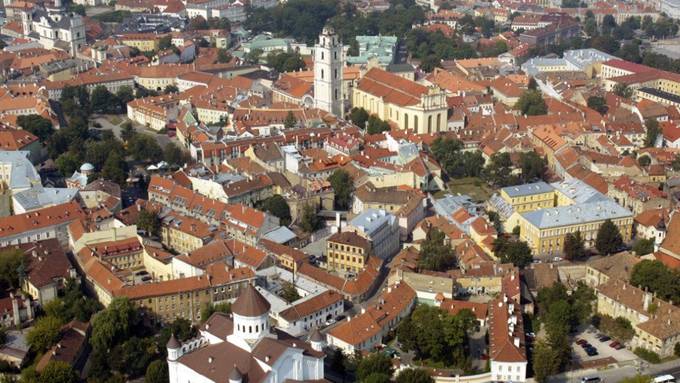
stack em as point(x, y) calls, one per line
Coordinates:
point(328, 64)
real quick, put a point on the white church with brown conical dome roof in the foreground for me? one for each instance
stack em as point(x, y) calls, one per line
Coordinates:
point(242, 348)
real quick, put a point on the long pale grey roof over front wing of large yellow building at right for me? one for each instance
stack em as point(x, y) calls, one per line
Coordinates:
point(576, 214)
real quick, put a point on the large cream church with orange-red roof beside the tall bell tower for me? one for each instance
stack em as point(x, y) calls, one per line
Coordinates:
point(405, 103)
